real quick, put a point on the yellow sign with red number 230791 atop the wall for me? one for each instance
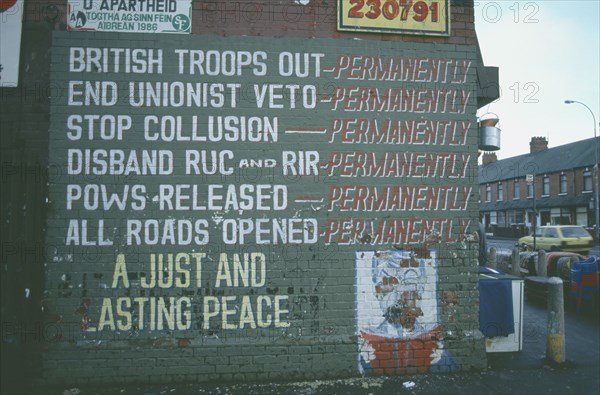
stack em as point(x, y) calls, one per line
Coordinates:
point(424, 17)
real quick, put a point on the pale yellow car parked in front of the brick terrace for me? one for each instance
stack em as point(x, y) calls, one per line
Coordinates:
point(571, 238)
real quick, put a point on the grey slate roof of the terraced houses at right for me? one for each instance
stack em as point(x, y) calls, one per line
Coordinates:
point(565, 157)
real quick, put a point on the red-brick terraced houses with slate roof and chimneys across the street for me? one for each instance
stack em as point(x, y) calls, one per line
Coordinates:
point(563, 186)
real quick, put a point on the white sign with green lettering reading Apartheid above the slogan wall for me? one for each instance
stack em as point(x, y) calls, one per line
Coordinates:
point(160, 16)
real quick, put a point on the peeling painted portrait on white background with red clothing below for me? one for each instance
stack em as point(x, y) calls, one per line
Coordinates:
point(397, 313)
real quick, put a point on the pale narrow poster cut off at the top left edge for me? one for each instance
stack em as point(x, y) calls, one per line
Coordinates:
point(11, 15)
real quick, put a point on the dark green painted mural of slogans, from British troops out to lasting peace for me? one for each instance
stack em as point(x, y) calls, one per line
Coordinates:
point(211, 189)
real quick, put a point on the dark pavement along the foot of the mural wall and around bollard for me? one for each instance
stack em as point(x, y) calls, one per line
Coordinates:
point(524, 372)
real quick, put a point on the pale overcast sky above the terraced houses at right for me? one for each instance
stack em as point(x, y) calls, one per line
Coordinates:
point(547, 51)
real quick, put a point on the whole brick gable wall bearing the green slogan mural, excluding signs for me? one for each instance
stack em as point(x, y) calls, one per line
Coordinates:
point(365, 229)
